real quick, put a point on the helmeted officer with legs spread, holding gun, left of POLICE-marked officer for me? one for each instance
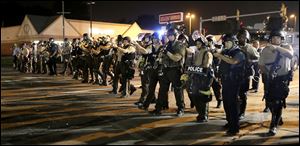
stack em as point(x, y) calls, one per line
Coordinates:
point(172, 61)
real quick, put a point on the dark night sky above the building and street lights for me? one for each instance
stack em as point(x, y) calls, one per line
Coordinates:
point(145, 12)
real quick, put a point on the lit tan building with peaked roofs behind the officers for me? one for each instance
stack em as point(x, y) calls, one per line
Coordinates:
point(35, 28)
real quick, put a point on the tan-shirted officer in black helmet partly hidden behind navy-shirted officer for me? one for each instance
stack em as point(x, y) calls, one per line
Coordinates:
point(252, 55)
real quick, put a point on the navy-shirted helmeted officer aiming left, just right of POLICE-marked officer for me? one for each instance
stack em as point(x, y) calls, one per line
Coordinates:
point(232, 68)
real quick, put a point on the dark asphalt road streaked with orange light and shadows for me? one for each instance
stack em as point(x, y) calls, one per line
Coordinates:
point(41, 109)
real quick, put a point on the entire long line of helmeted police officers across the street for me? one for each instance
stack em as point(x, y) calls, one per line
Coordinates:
point(194, 63)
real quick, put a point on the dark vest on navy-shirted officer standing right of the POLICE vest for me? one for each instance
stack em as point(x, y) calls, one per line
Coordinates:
point(231, 71)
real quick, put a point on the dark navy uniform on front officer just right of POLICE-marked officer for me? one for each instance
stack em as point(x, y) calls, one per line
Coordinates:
point(231, 79)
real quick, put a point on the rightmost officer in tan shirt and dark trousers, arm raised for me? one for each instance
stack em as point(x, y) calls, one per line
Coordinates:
point(275, 64)
